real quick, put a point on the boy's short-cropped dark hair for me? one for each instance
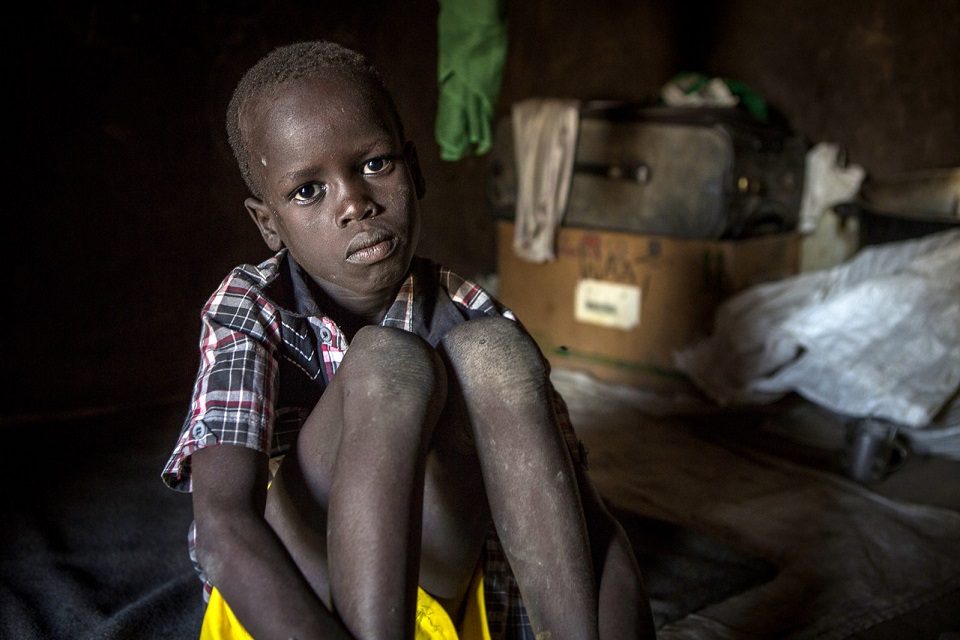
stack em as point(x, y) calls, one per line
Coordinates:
point(293, 61)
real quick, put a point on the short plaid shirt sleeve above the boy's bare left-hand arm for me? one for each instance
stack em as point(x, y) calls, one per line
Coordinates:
point(235, 390)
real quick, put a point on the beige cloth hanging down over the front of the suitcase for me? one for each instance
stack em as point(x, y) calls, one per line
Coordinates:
point(545, 142)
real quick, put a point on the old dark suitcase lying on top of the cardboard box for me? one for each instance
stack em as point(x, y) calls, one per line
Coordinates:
point(678, 172)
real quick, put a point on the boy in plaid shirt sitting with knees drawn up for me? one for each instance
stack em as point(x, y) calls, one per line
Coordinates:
point(355, 493)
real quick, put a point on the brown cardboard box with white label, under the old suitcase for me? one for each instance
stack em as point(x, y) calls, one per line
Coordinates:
point(619, 304)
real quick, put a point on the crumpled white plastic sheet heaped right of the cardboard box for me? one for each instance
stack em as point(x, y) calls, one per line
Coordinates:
point(878, 336)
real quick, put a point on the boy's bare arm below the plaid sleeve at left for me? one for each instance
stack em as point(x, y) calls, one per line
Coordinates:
point(242, 555)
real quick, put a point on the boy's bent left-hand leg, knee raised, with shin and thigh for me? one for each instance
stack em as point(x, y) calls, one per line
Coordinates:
point(353, 484)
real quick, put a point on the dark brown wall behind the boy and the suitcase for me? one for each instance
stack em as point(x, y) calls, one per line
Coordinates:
point(124, 206)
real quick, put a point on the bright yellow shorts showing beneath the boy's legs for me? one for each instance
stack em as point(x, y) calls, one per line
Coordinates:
point(433, 623)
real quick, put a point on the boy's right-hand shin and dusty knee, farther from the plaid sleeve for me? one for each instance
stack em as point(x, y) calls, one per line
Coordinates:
point(528, 474)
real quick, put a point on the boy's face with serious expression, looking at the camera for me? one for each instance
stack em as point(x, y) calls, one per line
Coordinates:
point(339, 187)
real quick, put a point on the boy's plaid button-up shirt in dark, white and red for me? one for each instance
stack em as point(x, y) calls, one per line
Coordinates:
point(268, 352)
